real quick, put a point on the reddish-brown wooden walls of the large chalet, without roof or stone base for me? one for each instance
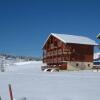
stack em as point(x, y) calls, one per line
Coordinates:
point(57, 53)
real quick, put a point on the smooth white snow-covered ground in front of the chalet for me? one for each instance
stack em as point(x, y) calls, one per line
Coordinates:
point(29, 81)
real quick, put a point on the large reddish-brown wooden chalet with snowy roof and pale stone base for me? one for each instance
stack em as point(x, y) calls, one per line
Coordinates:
point(68, 52)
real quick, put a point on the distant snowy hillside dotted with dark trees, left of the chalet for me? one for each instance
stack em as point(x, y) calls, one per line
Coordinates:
point(9, 60)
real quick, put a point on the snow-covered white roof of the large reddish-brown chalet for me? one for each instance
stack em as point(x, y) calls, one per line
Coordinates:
point(73, 39)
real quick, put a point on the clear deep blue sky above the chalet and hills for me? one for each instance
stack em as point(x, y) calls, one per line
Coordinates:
point(25, 24)
